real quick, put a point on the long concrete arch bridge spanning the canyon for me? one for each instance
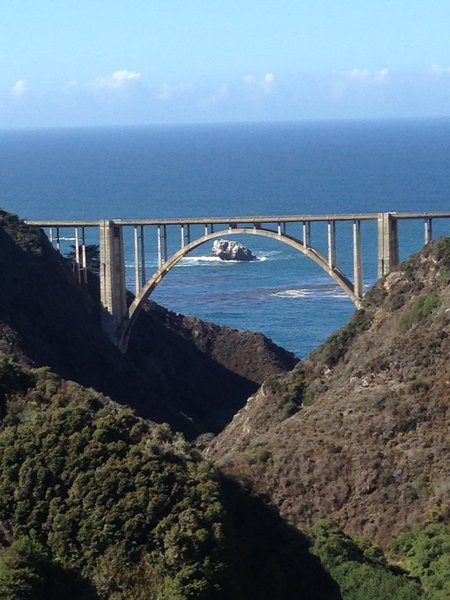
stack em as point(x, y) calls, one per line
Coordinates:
point(118, 319)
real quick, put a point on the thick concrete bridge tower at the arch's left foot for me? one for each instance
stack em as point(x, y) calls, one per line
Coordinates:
point(112, 279)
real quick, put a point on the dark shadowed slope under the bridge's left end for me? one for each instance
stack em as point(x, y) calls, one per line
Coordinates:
point(177, 369)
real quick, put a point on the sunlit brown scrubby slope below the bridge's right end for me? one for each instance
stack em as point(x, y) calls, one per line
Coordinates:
point(359, 431)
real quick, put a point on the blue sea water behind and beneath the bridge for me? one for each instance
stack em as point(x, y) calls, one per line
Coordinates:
point(240, 169)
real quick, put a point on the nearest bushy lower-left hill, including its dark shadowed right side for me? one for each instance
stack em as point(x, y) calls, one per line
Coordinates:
point(111, 506)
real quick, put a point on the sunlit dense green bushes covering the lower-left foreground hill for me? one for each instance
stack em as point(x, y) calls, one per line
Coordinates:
point(87, 480)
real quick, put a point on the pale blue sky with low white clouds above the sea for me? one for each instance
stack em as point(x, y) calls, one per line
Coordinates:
point(66, 63)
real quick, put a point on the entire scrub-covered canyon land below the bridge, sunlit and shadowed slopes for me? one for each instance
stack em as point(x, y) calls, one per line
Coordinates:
point(97, 501)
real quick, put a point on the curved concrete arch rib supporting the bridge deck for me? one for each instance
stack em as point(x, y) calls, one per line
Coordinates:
point(333, 271)
